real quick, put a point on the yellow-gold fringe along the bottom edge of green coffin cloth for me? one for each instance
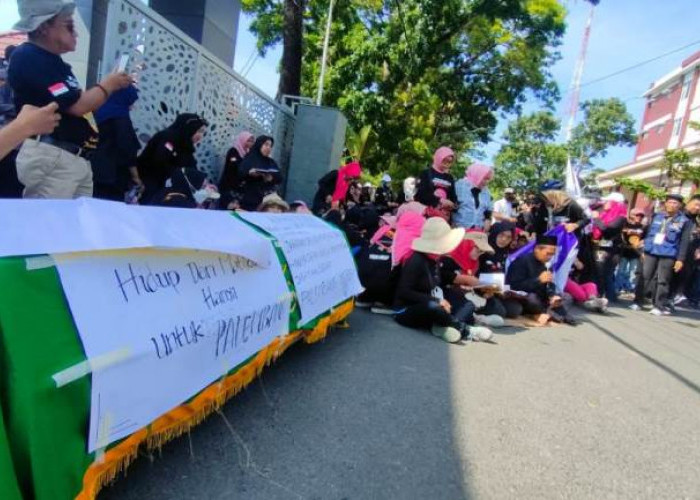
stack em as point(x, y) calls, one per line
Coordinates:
point(183, 418)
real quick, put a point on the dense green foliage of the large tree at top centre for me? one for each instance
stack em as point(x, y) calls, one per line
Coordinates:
point(425, 73)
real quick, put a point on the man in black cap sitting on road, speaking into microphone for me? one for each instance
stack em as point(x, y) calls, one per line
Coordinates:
point(530, 273)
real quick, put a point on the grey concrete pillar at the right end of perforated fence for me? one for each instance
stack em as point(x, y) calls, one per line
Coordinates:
point(319, 138)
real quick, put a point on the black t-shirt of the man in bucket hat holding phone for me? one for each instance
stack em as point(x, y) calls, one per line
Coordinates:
point(39, 78)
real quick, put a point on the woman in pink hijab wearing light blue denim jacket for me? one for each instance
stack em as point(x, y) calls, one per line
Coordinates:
point(475, 204)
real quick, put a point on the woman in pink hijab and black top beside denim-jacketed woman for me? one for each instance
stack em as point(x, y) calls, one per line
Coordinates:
point(436, 186)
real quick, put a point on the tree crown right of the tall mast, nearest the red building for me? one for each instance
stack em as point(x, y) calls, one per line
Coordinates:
point(606, 123)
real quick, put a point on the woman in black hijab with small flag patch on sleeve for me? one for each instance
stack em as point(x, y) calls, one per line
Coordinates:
point(168, 150)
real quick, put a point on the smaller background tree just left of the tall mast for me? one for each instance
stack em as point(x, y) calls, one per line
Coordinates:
point(530, 154)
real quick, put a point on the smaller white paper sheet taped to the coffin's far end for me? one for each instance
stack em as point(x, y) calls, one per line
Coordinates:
point(319, 260)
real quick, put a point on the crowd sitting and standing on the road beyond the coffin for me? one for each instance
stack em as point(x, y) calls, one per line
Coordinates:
point(444, 256)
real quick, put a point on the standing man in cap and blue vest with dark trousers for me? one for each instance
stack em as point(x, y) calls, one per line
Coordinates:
point(665, 248)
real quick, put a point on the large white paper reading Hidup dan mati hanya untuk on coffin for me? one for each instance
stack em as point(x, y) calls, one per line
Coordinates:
point(185, 318)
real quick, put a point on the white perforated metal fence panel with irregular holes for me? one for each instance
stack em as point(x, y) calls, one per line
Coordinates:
point(179, 75)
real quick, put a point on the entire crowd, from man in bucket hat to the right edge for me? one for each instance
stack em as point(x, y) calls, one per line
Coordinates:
point(440, 255)
